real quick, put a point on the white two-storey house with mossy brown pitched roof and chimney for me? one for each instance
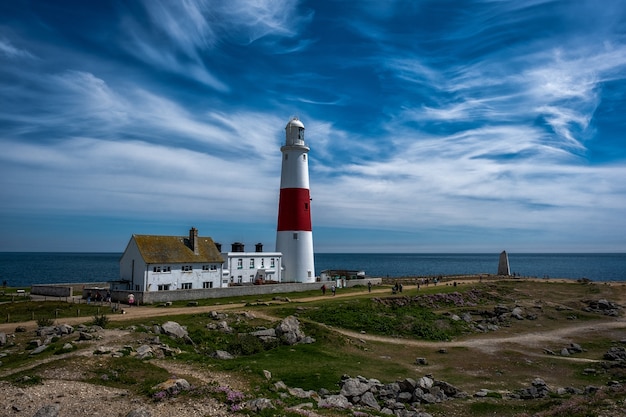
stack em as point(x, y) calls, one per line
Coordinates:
point(166, 263)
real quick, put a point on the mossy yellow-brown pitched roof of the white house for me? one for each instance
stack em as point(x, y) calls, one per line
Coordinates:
point(176, 249)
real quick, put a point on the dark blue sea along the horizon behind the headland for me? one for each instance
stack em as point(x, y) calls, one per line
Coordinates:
point(21, 269)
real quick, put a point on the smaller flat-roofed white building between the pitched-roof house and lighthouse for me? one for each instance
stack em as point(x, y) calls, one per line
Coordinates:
point(258, 267)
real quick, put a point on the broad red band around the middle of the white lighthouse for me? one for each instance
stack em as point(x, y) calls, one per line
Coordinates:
point(294, 212)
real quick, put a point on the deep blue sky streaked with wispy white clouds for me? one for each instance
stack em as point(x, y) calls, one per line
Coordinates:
point(434, 126)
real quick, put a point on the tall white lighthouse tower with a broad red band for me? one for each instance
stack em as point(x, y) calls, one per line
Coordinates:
point(294, 236)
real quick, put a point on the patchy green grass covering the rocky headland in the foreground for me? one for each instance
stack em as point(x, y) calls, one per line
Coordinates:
point(380, 336)
